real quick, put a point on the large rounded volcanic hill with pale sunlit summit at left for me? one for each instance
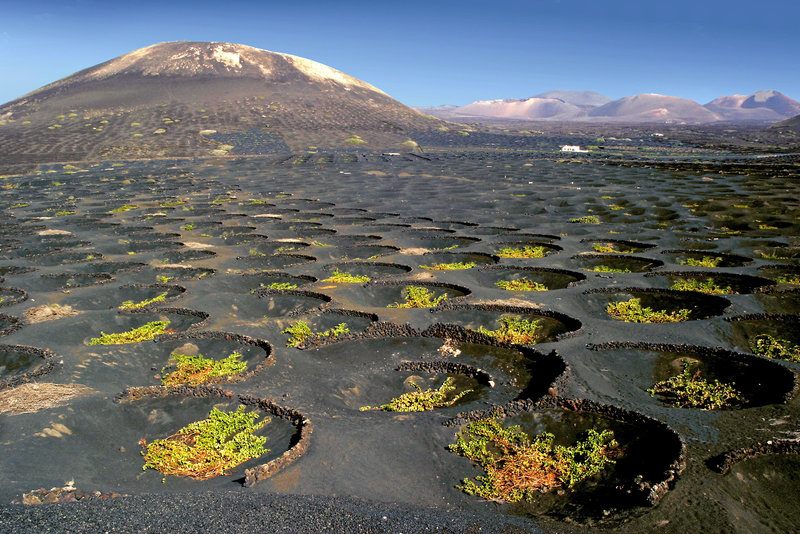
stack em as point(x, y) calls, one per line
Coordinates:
point(199, 99)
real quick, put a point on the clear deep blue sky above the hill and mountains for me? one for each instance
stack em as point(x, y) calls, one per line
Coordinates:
point(438, 52)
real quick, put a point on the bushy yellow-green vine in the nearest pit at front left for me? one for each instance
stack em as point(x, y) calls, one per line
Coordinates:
point(209, 447)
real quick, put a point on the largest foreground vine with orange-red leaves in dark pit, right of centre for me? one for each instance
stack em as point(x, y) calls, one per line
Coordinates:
point(518, 468)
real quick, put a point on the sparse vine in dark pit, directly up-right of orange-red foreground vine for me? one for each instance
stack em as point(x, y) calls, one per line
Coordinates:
point(689, 390)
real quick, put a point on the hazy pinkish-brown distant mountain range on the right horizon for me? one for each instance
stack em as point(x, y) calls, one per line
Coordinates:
point(759, 107)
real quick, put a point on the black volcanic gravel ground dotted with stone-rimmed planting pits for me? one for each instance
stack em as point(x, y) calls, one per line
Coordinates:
point(215, 236)
